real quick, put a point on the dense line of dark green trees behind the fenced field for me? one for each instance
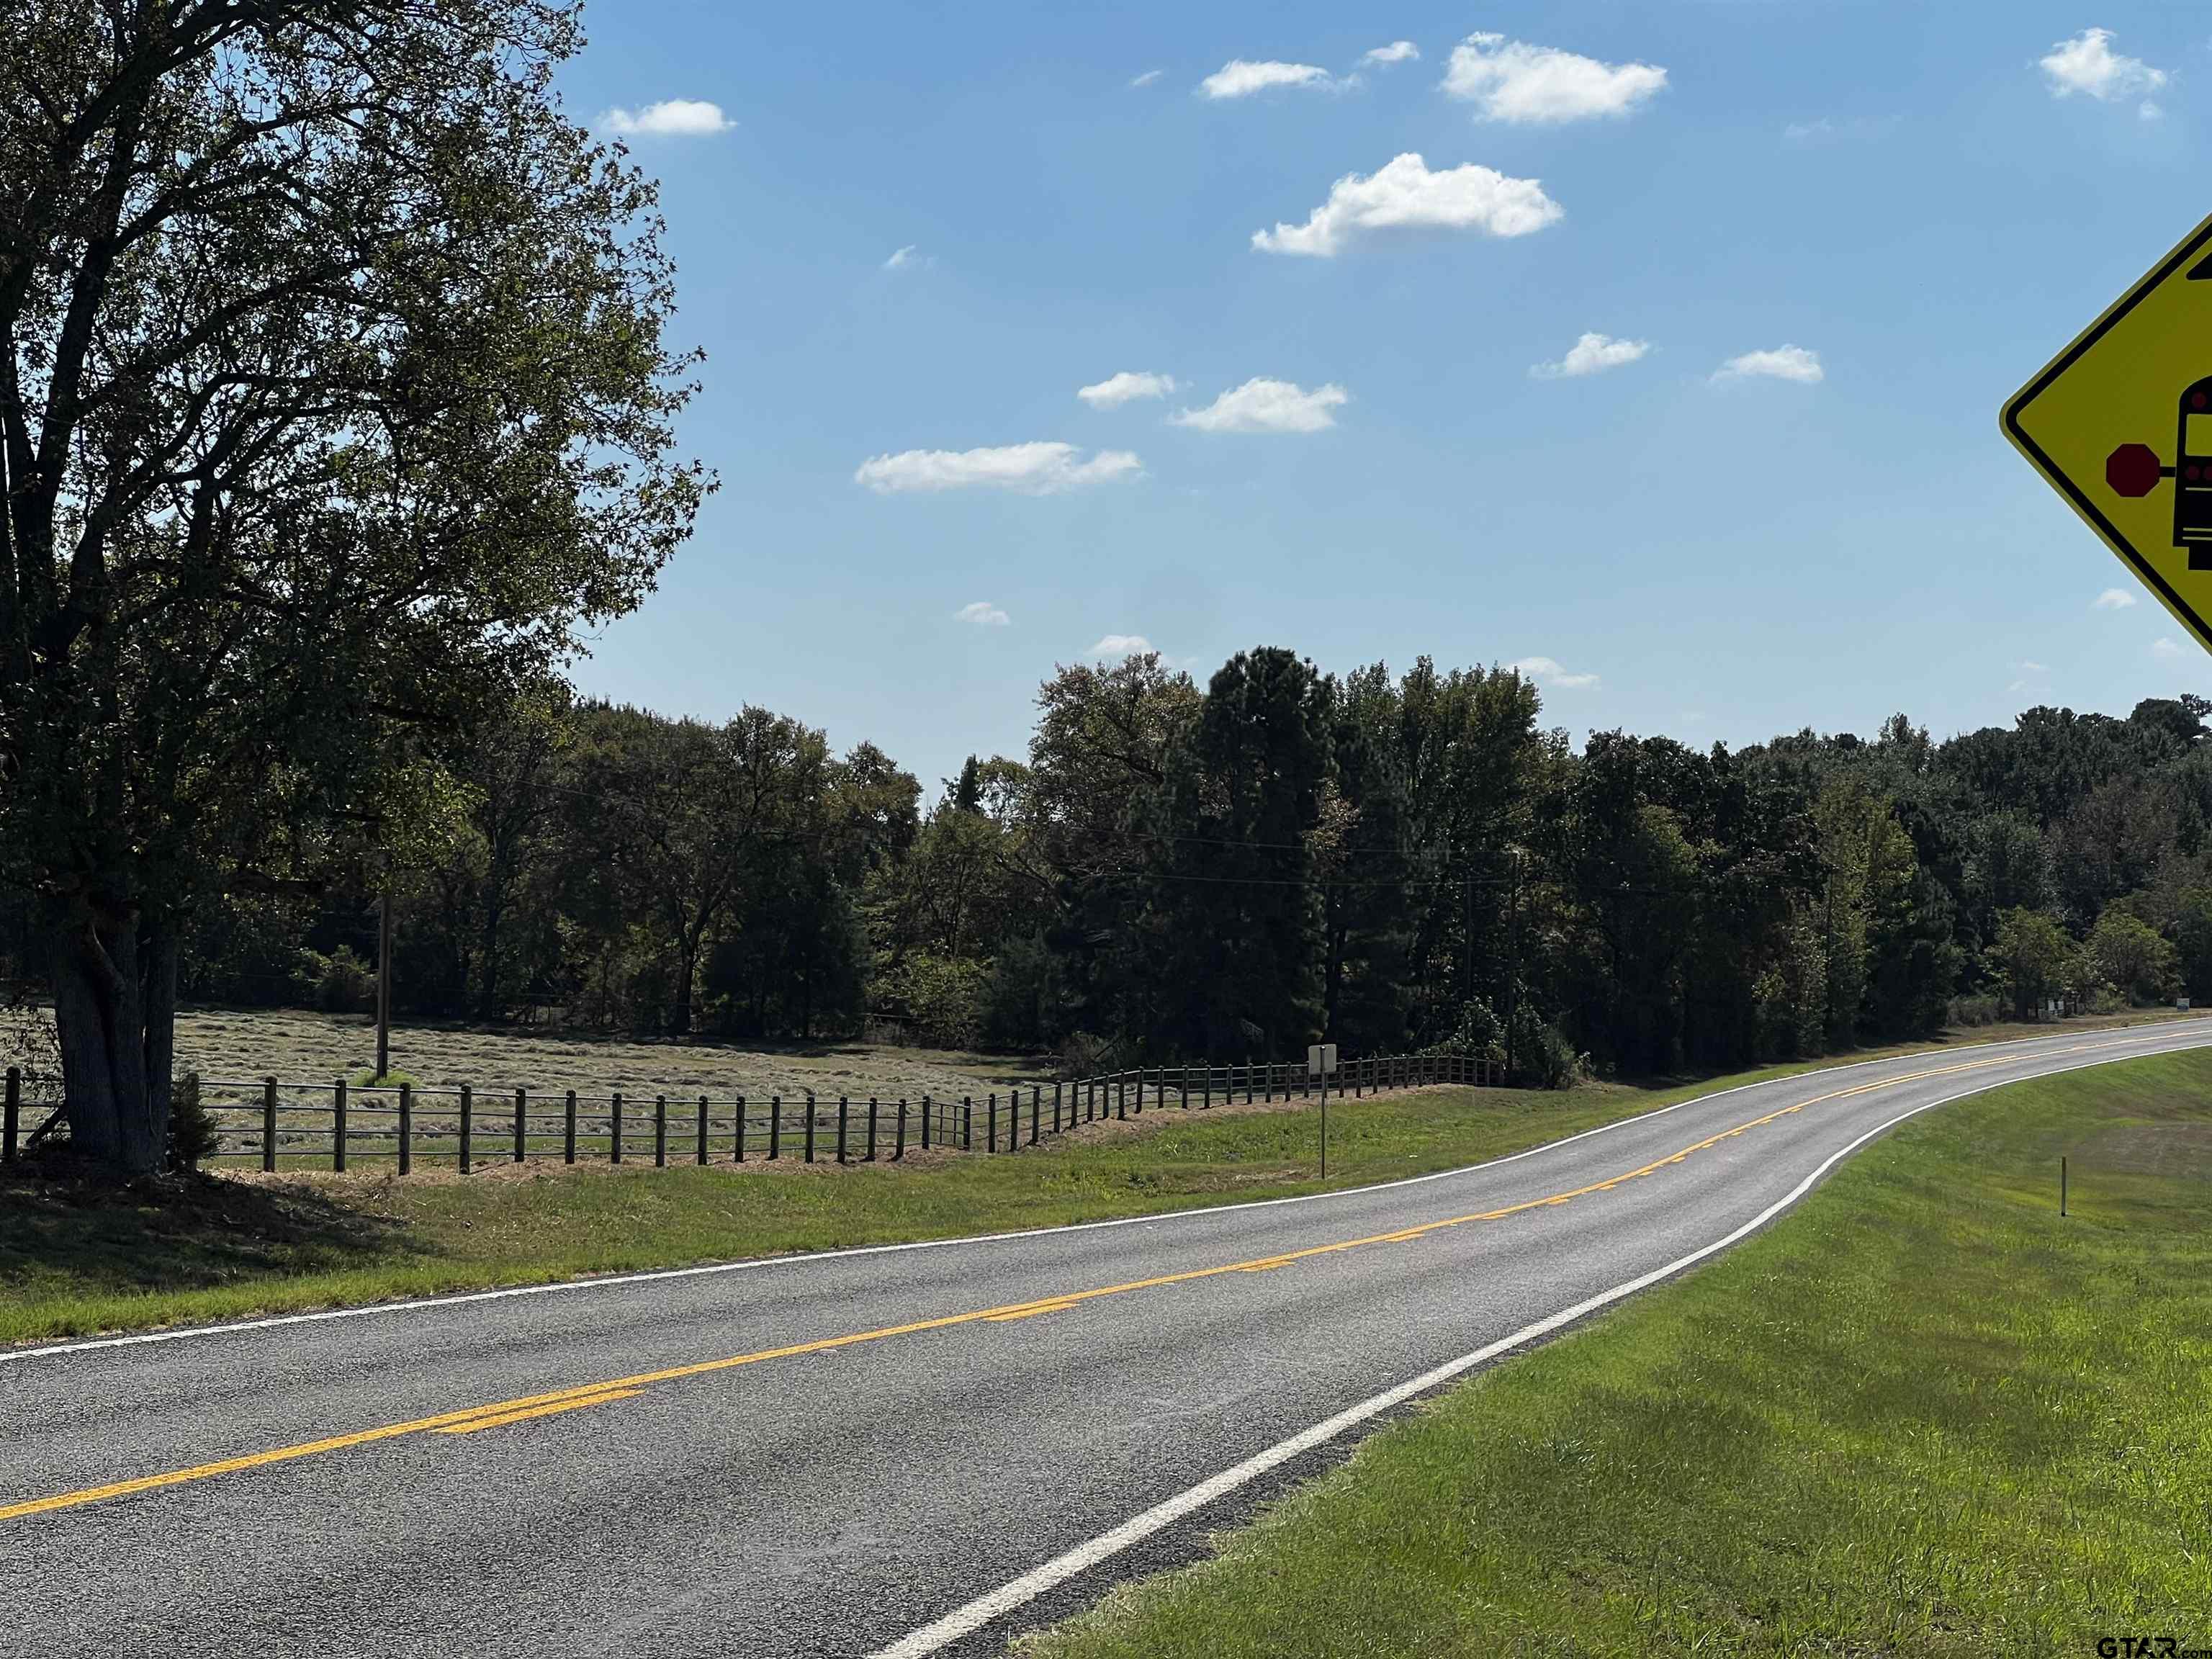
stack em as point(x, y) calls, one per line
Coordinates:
point(1178, 873)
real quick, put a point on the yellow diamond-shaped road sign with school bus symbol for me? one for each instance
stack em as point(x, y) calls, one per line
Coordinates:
point(2122, 428)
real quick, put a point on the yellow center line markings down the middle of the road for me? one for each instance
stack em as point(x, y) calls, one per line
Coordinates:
point(625, 1388)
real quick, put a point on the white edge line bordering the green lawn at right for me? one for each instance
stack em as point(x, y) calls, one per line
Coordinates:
point(966, 1623)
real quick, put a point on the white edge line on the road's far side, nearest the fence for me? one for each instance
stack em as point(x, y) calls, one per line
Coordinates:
point(1202, 1213)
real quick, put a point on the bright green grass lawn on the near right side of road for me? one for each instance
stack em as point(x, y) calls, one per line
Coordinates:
point(1921, 1415)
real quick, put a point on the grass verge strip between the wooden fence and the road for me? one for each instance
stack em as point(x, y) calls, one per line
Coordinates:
point(83, 1255)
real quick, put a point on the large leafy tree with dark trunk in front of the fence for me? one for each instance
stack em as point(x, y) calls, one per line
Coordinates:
point(333, 397)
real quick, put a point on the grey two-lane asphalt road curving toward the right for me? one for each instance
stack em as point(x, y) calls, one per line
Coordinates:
point(669, 1477)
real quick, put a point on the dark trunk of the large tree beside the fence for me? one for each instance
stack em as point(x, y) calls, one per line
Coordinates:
point(116, 1041)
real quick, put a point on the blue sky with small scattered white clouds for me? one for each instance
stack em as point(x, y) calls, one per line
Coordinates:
point(1906, 194)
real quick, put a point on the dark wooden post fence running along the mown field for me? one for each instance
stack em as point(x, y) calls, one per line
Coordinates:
point(337, 1127)
